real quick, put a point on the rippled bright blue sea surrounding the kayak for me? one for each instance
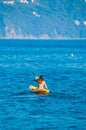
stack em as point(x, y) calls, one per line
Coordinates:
point(63, 64)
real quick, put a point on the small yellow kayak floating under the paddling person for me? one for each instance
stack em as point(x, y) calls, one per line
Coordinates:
point(38, 91)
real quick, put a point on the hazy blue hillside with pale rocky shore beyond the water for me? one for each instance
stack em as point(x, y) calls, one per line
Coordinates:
point(43, 19)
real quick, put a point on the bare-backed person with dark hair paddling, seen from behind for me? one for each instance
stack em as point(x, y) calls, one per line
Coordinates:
point(41, 82)
